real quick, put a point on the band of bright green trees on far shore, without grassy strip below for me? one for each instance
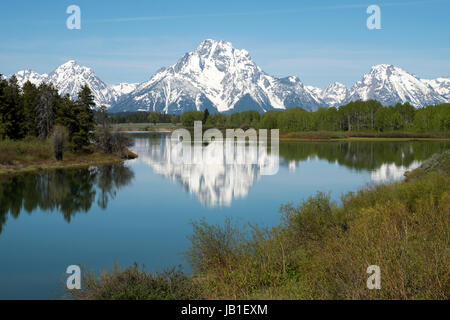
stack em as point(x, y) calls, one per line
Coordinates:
point(354, 116)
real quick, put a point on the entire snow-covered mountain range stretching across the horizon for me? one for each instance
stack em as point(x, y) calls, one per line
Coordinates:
point(222, 78)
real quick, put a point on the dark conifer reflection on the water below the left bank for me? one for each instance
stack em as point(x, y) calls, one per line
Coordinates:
point(67, 191)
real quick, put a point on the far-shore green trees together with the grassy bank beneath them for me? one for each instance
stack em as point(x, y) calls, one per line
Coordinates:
point(367, 119)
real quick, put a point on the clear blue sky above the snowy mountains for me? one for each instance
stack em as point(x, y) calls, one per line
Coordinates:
point(319, 41)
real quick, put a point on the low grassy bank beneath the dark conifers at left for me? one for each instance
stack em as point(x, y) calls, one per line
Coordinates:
point(33, 154)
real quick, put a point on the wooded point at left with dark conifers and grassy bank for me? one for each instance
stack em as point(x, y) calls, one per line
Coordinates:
point(39, 129)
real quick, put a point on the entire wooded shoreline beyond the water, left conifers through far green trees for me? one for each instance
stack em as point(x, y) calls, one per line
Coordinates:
point(39, 129)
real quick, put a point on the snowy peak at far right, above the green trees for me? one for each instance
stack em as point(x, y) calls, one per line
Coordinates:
point(389, 85)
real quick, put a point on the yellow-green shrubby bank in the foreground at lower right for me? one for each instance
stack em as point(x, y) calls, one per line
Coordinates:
point(321, 250)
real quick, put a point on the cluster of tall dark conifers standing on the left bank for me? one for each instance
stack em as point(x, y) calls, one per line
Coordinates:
point(37, 111)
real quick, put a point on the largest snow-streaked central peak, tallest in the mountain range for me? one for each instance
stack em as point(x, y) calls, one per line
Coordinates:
point(218, 77)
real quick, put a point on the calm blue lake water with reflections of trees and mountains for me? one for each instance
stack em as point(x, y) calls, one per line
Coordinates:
point(141, 211)
